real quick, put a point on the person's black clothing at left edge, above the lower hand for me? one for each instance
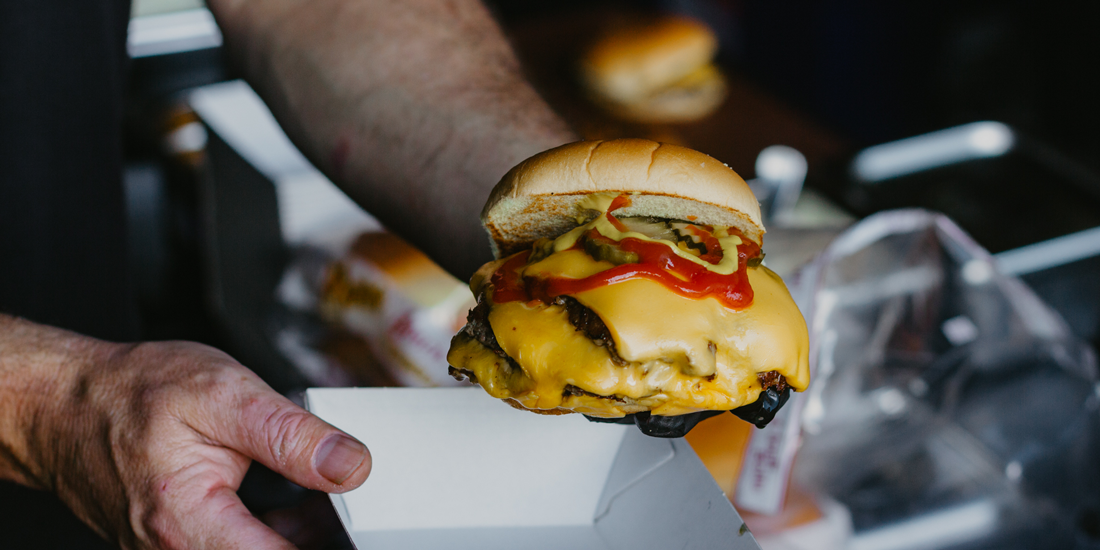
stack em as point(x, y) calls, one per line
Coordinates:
point(63, 254)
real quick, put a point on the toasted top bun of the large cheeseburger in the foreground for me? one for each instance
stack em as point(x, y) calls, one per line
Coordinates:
point(540, 199)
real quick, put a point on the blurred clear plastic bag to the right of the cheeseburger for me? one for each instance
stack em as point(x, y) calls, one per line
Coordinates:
point(951, 408)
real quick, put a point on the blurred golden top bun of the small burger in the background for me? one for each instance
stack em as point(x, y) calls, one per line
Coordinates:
point(632, 63)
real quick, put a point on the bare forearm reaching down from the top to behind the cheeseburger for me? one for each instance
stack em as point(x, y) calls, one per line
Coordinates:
point(415, 107)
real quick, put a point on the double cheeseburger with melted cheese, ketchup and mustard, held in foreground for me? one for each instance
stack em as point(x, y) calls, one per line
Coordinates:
point(630, 289)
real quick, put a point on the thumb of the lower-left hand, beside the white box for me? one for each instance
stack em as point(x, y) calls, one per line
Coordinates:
point(288, 439)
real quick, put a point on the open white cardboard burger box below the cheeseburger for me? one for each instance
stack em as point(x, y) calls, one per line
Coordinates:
point(455, 469)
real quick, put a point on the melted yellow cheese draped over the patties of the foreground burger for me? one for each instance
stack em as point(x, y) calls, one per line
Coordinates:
point(684, 355)
